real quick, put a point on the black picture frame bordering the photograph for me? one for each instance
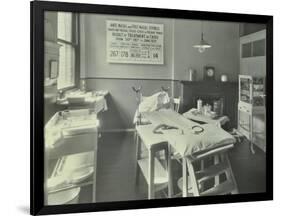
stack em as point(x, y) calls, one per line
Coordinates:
point(37, 9)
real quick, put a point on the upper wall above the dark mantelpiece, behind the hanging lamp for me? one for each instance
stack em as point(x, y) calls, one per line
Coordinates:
point(223, 55)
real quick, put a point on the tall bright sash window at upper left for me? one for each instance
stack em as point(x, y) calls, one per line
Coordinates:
point(67, 38)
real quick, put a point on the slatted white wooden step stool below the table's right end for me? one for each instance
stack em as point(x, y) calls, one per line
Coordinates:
point(221, 166)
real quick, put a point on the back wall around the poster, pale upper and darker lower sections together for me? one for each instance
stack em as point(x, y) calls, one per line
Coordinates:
point(102, 75)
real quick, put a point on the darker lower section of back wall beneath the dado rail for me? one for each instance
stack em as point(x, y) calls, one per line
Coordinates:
point(122, 102)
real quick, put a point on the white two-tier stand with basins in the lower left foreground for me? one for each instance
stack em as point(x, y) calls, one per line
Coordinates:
point(71, 139)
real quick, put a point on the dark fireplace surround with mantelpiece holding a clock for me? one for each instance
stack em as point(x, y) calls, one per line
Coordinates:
point(208, 92)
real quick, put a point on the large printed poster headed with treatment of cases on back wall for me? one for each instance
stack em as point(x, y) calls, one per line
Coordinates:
point(134, 42)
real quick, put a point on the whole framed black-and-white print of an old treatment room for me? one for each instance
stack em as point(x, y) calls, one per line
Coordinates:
point(121, 128)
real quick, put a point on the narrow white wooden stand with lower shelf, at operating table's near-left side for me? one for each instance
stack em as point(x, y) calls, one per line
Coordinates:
point(156, 176)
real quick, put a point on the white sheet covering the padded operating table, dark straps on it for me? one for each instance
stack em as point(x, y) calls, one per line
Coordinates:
point(184, 139)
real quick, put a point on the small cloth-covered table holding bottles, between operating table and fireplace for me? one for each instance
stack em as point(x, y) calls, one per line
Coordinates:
point(194, 115)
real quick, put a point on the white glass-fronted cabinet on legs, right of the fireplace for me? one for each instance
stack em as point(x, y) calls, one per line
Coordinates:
point(251, 109)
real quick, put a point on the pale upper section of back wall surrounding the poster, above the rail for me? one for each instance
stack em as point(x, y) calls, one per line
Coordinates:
point(94, 50)
